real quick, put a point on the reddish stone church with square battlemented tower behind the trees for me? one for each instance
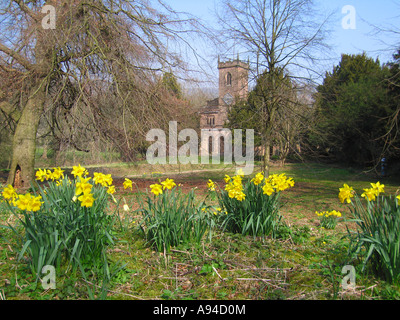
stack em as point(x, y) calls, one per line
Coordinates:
point(233, 84)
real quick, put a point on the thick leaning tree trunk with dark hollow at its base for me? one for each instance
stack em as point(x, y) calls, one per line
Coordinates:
point(24, 143)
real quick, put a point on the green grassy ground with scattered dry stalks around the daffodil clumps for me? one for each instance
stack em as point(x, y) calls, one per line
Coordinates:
point(304, 262)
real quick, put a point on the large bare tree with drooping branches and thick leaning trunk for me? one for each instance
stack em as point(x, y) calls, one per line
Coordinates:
point(118, 45)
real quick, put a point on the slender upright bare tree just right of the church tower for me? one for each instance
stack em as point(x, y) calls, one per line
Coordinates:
point(280, 36)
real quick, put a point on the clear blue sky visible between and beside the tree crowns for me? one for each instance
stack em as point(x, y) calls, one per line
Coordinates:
point(348, 35)
